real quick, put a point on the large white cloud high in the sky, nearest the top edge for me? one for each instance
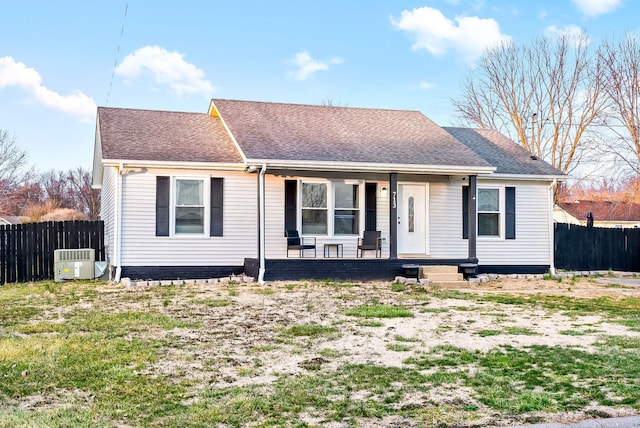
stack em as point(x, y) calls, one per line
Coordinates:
point(469, 36)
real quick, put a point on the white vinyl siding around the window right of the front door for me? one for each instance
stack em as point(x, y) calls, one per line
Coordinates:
point(531, 246)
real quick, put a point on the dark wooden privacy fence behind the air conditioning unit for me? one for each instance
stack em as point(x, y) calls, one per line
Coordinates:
point(26, 250)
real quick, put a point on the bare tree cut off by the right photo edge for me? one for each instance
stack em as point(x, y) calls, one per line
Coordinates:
point(621, 64)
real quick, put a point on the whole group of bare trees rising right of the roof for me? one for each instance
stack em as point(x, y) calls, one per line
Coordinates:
point(568, 100)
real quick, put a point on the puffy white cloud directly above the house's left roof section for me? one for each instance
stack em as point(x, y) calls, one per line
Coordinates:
point(166, 69)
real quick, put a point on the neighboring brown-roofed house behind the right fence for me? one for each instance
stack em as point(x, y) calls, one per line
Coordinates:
point(600, 213)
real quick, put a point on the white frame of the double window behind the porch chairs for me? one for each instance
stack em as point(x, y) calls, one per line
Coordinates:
point(331, 208)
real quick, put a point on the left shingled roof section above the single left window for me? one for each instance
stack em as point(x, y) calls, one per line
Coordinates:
point(164, 136)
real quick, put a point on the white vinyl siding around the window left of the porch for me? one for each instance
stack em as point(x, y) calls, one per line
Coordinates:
point(140, 246)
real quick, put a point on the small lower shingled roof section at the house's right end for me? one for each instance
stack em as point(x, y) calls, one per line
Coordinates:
point(501, 152)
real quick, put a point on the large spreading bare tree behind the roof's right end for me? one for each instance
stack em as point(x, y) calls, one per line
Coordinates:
point(544, 95)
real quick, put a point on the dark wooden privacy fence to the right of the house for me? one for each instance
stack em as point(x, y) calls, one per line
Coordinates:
point(596, 248)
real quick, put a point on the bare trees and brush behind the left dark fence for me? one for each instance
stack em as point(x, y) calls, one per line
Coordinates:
point(43, 196)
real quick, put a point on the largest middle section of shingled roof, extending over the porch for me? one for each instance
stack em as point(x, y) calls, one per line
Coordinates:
point(302, 133)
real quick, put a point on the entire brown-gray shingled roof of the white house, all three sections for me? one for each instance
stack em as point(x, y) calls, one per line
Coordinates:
point(267, 131)
